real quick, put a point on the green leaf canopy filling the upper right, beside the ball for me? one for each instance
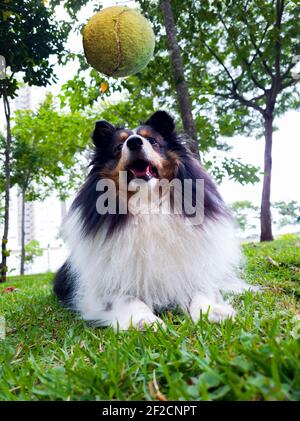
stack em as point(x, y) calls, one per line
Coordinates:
point(230, 54)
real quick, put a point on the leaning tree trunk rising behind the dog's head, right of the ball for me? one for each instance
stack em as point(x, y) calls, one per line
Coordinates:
point(183, 97)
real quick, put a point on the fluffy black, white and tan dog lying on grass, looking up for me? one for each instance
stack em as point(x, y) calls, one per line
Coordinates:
point(125, 268)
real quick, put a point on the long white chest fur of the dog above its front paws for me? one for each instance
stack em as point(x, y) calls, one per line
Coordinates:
point(157, 258)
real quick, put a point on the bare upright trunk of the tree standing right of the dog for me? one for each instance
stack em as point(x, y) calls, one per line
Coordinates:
point(265, 215)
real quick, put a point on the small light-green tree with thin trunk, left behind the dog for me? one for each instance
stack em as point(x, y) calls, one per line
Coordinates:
point(46, 154)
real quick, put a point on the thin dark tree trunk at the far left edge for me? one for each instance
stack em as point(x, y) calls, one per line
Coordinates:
point(4, 251)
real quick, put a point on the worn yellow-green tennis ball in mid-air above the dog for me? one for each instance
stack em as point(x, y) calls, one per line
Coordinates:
point(118, 41)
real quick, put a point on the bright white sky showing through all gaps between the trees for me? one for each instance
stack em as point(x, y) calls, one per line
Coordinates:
point(286, 149)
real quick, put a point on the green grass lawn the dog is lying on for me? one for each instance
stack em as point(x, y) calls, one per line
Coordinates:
point(48, 354)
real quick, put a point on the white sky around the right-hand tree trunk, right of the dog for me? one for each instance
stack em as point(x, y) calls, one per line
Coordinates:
point(285, 162)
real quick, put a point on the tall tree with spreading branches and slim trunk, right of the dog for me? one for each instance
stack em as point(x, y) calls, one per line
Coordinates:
point(251, 67)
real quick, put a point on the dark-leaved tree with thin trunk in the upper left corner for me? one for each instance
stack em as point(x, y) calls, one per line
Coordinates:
point(29, 35)
